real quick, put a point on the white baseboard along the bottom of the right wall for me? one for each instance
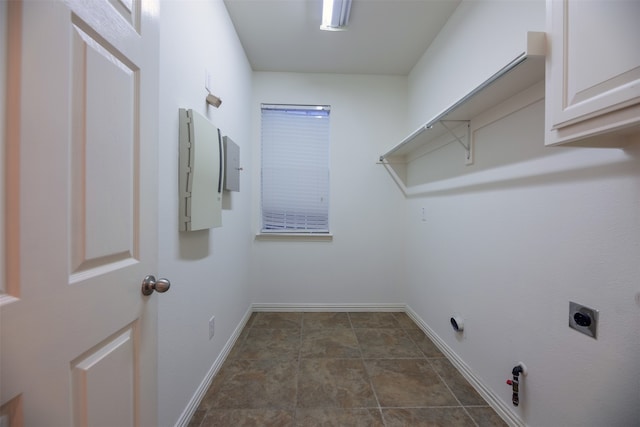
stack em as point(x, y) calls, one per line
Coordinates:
point(492, 399)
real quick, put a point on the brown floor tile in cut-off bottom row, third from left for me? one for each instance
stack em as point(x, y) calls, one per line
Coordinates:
point(426, 417)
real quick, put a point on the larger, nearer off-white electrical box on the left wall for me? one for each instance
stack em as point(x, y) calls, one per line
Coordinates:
point(201, 172)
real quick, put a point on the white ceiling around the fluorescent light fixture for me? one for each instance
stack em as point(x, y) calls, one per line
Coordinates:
point(383, 37)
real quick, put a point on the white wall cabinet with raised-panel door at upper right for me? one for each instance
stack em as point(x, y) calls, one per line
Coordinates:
point(592, 71)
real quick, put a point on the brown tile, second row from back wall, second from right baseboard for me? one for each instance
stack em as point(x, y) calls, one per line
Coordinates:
point(386, 343)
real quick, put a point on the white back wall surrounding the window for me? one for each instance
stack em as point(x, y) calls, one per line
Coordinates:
point(360, 265)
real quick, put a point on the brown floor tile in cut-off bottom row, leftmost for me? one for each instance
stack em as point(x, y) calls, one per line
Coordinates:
point(248, 418)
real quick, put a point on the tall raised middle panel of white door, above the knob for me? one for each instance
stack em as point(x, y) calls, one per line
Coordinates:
point(104, 122)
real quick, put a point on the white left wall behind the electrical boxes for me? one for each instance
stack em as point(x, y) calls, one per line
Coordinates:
point(208, 269)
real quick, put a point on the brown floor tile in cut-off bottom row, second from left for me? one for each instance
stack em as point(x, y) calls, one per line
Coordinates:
point(330, 417)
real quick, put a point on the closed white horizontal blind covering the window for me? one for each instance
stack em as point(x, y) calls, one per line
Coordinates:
point(295, 169)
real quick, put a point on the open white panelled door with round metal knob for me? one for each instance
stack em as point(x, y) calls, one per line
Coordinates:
point(78, 343)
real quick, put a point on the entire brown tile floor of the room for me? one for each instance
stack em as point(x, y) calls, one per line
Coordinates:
point(339, 369)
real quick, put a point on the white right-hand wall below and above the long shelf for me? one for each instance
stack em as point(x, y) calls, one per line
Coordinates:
point(512, 239)
